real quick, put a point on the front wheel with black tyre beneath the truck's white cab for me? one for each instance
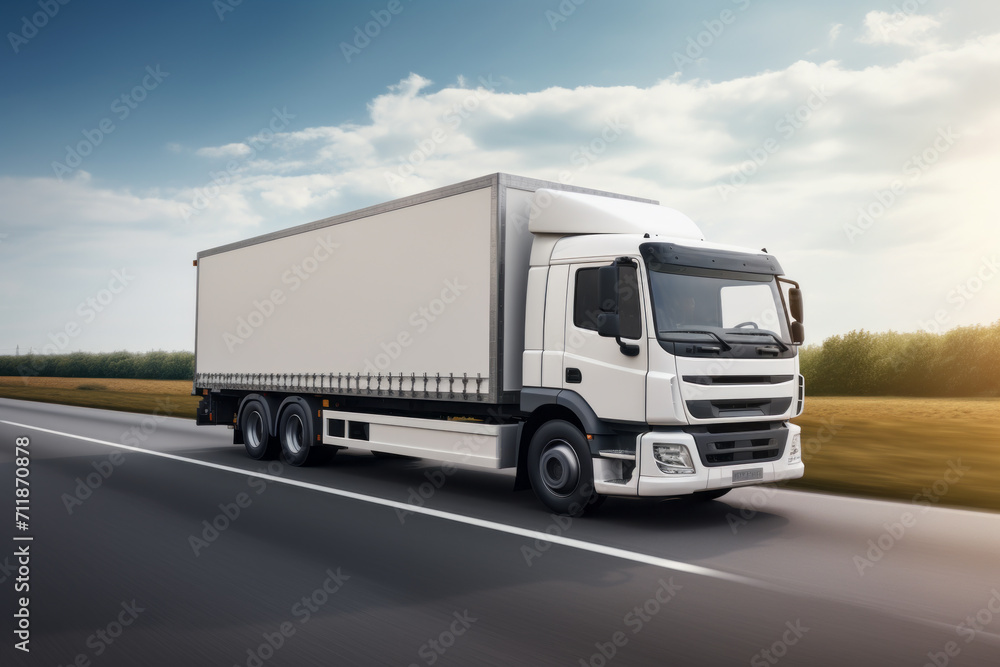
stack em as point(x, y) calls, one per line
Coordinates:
point(561, 470)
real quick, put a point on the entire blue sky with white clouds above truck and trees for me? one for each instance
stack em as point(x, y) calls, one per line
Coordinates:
point(873, 84)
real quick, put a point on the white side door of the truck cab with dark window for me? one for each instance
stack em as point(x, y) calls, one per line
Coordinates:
point(613, 383)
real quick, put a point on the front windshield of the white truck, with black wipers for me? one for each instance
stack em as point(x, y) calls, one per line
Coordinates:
point(695, 302)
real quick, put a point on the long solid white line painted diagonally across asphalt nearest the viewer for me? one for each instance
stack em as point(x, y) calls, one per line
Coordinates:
point(614, 552)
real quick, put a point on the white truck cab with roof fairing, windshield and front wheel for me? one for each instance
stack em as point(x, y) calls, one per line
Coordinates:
point(678, 357)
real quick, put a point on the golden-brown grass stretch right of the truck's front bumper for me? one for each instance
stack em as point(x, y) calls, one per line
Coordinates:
point(947, 450)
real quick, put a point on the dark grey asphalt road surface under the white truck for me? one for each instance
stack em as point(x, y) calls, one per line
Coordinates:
point(138, 558)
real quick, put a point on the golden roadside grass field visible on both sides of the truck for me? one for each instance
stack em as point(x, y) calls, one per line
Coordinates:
point(945, 448)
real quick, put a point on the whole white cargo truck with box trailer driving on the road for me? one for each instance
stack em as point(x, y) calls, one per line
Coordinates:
point(594, 342)
